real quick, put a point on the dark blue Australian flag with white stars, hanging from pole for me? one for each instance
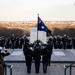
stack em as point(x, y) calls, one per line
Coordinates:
point(42, 26)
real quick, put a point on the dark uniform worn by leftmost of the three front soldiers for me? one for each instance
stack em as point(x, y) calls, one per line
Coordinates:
point(28, 56)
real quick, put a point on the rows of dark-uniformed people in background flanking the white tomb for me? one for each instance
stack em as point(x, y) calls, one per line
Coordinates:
point(57, 42)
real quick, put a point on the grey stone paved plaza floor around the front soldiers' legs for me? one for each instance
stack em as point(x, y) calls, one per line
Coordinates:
point(54, 69)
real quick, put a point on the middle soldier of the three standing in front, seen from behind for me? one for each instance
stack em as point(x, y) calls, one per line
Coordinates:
point(37, 57)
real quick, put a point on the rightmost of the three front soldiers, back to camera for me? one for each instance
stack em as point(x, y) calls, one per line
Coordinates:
point(45, 57)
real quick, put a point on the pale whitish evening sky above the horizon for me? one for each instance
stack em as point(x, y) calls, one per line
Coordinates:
point(27, 10)
